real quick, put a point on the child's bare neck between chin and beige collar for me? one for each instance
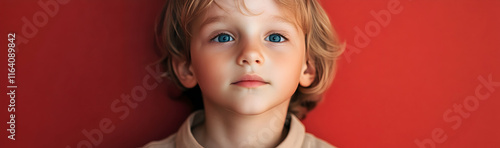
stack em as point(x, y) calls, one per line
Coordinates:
point(225, 128)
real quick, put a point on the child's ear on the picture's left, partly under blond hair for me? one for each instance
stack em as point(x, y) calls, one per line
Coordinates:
point(184, 73)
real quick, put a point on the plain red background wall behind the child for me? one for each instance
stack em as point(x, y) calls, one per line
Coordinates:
point(393, 91)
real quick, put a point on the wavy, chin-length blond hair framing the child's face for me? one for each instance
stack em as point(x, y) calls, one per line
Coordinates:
point(322, 46)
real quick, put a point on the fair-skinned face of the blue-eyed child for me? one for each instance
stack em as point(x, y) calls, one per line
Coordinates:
point(227, 45)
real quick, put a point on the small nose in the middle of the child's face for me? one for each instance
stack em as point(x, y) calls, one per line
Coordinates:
point(251, 53)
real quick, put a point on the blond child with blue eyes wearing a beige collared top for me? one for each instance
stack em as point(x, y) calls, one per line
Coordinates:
point(257, 66)
